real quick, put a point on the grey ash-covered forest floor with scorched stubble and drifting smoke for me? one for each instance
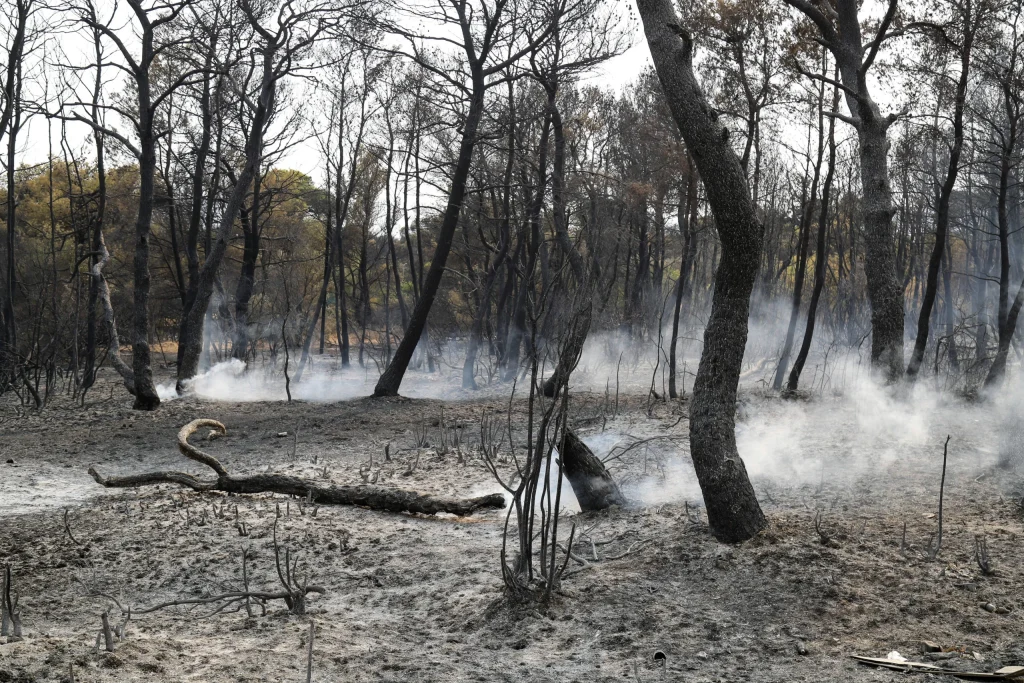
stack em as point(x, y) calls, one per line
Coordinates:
point(414, 599)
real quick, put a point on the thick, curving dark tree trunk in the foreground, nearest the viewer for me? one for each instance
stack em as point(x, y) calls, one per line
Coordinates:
point(734, 514)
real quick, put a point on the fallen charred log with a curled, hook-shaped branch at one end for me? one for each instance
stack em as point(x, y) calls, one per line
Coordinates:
point(375, 498)
